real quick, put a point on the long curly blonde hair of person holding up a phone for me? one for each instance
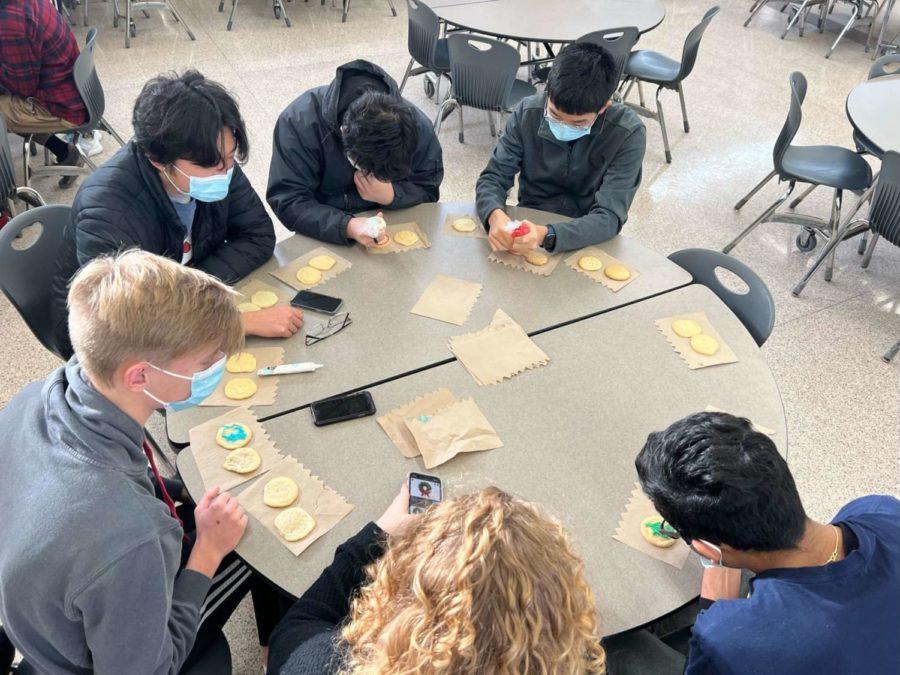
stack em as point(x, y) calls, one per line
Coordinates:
point(484, 584)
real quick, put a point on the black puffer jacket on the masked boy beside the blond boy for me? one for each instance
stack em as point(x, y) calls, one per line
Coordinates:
point(123, 205)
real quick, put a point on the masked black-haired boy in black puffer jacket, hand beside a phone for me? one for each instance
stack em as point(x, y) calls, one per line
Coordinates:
point(177, 190)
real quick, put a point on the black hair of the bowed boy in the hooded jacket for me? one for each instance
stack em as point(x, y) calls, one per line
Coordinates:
point(380, 135)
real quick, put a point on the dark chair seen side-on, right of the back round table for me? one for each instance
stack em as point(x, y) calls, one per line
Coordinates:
point(655, 68)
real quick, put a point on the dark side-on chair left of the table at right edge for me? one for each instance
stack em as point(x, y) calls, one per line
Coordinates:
point(830, 165)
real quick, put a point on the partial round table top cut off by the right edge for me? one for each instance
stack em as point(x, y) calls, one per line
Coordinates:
point(873, 108)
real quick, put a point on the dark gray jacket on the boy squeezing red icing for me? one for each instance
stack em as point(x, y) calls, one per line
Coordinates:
point(592, 180)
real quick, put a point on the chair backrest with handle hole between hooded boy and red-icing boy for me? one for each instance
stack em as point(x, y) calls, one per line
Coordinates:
point(482, 70)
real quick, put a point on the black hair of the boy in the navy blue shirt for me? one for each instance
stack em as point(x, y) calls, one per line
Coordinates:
point(712, 477)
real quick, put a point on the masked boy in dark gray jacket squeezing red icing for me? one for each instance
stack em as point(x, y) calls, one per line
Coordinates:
point(575, 152)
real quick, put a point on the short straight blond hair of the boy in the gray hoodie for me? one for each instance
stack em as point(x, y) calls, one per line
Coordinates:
point(140, 305)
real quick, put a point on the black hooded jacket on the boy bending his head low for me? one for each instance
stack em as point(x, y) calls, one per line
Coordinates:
point(311, 185)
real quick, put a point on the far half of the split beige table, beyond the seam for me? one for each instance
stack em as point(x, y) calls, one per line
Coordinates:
point(385, 340)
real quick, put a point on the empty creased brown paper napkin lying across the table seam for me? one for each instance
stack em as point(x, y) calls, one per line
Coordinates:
point(498, 351)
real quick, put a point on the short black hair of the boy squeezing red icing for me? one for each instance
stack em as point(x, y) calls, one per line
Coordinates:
point(582, 79)
